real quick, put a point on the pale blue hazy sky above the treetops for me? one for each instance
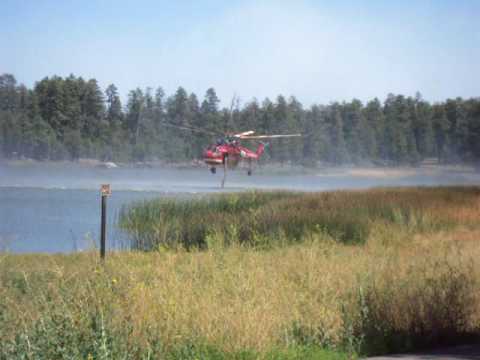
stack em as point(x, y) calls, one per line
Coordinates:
point(318, 51)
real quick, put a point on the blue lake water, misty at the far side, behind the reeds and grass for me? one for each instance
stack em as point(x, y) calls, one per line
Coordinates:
point(56, 208)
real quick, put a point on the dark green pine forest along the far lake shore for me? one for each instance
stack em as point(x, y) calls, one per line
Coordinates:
point(72, 118)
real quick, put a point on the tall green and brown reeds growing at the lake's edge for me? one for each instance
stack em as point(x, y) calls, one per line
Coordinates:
point(266, 219)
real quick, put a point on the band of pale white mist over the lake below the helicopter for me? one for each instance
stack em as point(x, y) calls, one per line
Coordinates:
point(193, 180)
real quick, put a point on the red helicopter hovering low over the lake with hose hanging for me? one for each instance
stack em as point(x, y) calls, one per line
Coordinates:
point(228, 153)
